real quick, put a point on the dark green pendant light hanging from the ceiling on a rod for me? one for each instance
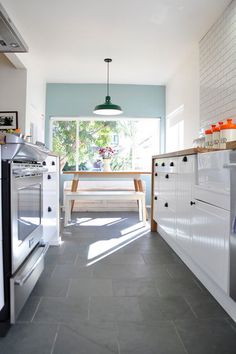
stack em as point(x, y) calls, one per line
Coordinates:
point(108, 108)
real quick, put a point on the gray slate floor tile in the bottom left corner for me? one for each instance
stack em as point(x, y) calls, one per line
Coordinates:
point(29, 338)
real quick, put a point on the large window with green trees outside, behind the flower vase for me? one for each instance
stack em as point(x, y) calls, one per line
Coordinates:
point(77, 141)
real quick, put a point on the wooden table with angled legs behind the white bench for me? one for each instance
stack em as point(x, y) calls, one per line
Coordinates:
point(134, 175)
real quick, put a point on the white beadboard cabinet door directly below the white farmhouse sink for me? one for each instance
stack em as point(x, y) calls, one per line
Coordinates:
point(210, 241)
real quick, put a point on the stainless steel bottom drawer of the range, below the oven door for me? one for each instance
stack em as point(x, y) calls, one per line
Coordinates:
point(23, 282)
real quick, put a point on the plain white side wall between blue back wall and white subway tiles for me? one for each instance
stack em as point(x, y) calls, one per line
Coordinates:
point(182, 104)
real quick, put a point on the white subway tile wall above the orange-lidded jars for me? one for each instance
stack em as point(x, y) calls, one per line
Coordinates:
point(218, 70)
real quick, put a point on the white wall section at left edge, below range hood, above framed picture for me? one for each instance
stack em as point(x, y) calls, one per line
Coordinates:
point(13, 90)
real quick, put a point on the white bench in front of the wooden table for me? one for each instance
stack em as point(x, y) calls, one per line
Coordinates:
point(105, 195)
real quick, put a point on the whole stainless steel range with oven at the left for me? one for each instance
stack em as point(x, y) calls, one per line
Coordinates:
point(23, 252)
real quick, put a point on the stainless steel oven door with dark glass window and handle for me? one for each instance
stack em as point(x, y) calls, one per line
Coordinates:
point(26, 216)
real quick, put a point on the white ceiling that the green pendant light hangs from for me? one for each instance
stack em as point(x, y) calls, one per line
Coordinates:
point(147, 39)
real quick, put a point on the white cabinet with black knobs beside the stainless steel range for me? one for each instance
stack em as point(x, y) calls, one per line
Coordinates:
point(51, 201)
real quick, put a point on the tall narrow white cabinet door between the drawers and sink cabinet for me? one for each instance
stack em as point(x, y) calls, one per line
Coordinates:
point(186, 179)
